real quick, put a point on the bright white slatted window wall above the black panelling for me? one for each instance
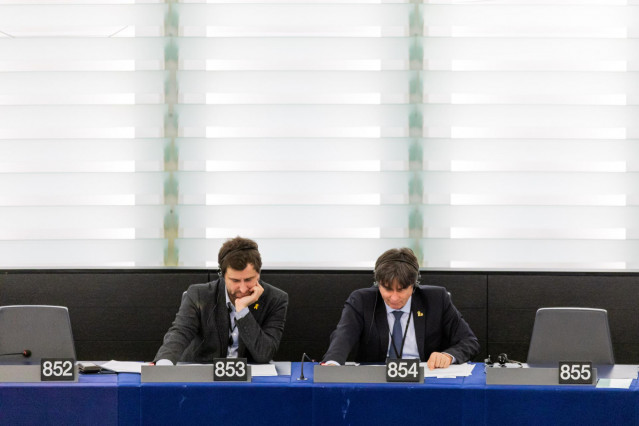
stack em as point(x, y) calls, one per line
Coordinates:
point(483, 134)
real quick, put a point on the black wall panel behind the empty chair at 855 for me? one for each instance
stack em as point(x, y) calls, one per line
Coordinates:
point(513, 300)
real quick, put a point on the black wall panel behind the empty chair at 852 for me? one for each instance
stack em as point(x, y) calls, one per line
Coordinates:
point(114, 314)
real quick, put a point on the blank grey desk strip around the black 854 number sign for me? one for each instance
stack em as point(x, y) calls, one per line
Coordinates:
point(354, 374)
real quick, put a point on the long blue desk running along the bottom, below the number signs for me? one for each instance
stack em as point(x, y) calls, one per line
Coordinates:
point(122, 399)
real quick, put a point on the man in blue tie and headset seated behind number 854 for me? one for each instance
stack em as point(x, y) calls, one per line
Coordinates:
point(398, 318)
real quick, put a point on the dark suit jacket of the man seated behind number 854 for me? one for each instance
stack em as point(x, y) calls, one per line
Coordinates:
point(439, 327)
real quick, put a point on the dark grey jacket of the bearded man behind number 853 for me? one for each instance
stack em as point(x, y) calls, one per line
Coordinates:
point(200, 331)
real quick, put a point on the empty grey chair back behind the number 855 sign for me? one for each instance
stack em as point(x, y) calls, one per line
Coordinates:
point(571, 334)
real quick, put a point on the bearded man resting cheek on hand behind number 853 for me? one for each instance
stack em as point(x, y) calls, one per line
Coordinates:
point(236, 315)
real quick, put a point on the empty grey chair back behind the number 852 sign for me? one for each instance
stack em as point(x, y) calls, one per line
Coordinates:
point(39, 331)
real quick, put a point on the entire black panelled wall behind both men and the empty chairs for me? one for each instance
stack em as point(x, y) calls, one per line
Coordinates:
point(123, 314)
